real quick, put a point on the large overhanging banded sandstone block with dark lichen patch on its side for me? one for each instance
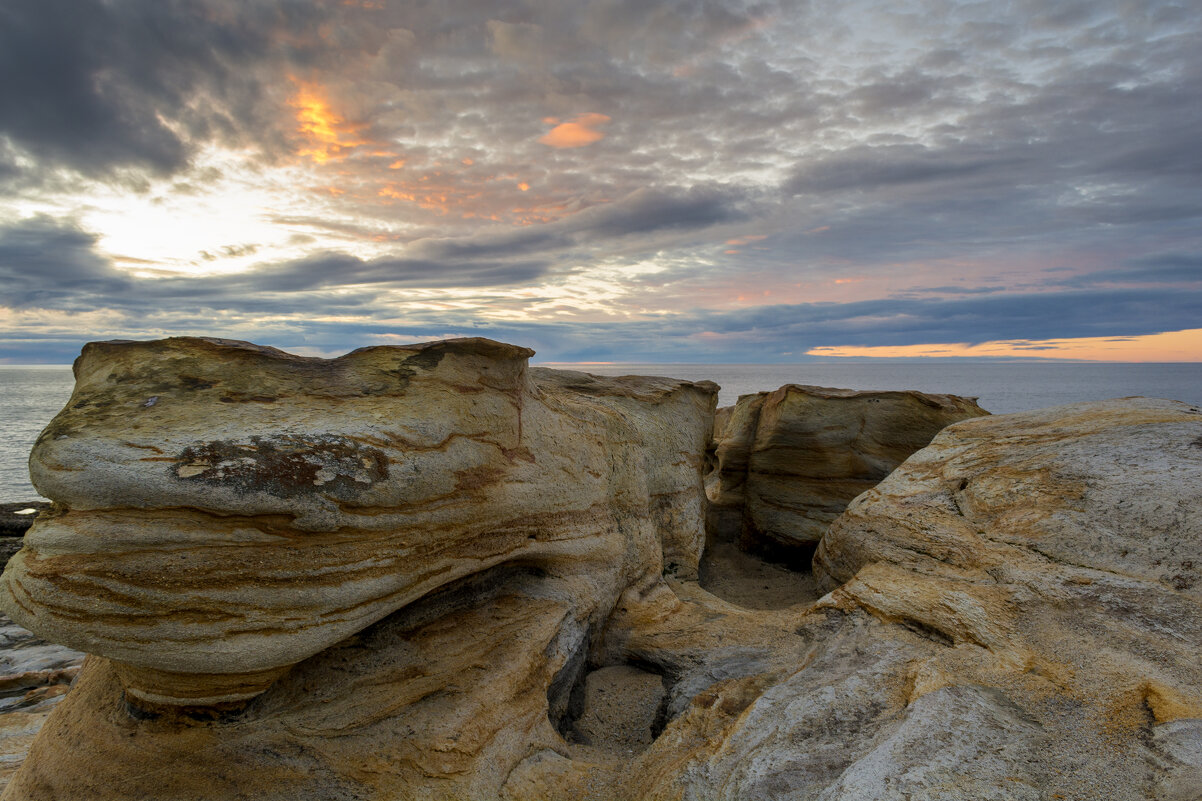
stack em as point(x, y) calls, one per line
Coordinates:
point(228, 511)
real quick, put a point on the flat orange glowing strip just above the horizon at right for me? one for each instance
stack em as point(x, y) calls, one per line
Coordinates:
point(1169, 347)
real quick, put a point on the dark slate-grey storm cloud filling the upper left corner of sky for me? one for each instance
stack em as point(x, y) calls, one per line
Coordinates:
point(100, 86)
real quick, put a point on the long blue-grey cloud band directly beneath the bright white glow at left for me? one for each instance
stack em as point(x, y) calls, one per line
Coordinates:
point(56, 264)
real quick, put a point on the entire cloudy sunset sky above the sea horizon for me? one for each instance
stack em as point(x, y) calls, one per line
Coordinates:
point(712, 181)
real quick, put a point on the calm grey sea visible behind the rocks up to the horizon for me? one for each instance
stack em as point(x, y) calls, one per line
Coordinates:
point(32, 396)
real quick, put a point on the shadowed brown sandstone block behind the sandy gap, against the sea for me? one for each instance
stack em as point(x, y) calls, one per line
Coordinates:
point(790, 461)
